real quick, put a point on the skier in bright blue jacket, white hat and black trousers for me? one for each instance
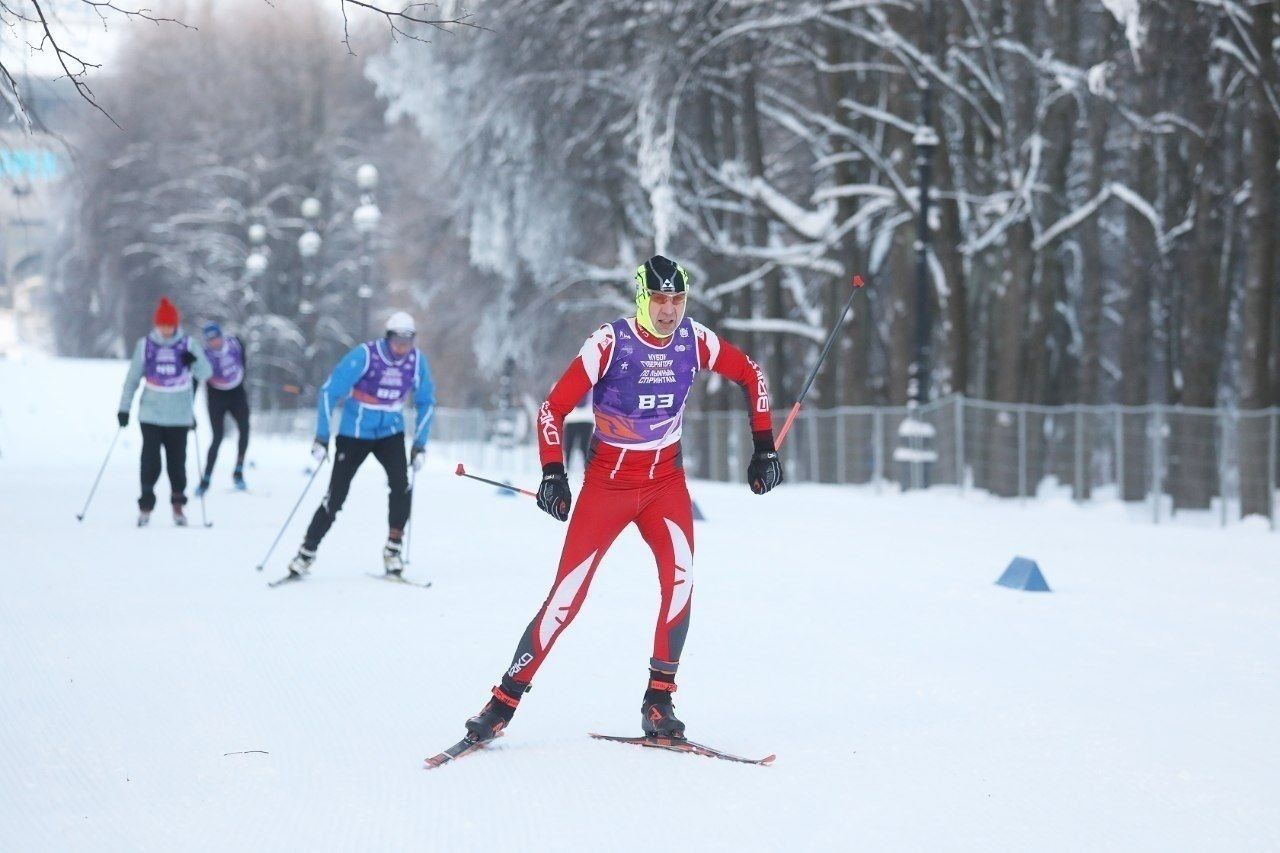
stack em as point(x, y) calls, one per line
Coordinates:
point(373, 384)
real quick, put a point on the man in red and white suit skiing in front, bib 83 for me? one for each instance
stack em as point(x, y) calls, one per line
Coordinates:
point(639, 372)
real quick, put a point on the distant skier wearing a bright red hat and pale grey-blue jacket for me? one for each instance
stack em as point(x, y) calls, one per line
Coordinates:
point(171, 363)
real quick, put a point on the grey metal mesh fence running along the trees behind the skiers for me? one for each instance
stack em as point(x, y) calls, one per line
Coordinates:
point(1218, 462)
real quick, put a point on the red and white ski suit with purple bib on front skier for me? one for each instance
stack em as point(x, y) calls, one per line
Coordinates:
point(633, 478)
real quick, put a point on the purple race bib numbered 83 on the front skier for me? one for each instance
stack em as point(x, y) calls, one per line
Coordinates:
point(641, 400)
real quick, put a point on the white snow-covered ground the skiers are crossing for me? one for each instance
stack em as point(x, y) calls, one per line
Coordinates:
point(913, 705)
